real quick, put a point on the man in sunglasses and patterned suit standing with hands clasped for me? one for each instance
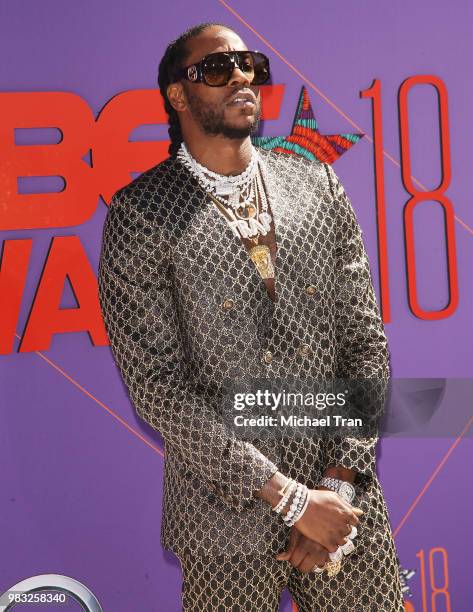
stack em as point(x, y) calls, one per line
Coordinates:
point(224, 262)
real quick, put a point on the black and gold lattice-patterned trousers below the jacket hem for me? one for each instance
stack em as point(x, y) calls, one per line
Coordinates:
point(367, 582)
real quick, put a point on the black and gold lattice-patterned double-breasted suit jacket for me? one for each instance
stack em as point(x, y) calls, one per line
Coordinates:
point(168, 266)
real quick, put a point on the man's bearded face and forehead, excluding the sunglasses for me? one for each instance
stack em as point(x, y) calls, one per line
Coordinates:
point(214, 108)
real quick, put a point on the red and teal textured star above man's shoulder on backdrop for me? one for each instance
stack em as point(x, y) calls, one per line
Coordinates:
point(305, 138)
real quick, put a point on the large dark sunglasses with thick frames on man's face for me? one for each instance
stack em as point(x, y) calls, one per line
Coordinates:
point(216, 69)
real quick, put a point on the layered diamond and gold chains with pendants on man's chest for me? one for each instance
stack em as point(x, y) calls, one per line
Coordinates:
point(241, 199)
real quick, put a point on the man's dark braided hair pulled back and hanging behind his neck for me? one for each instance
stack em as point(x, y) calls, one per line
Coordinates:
point(173, 59)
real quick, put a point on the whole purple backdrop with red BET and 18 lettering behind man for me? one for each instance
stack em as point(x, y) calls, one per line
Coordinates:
point(380, 90)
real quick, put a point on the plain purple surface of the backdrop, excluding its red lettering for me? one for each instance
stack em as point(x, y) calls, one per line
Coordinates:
point(80, 494)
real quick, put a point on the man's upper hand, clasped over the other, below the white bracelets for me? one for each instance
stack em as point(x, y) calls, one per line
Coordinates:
point(328, 519)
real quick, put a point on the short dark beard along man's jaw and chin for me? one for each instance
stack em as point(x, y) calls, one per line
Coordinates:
point(212, 119)
